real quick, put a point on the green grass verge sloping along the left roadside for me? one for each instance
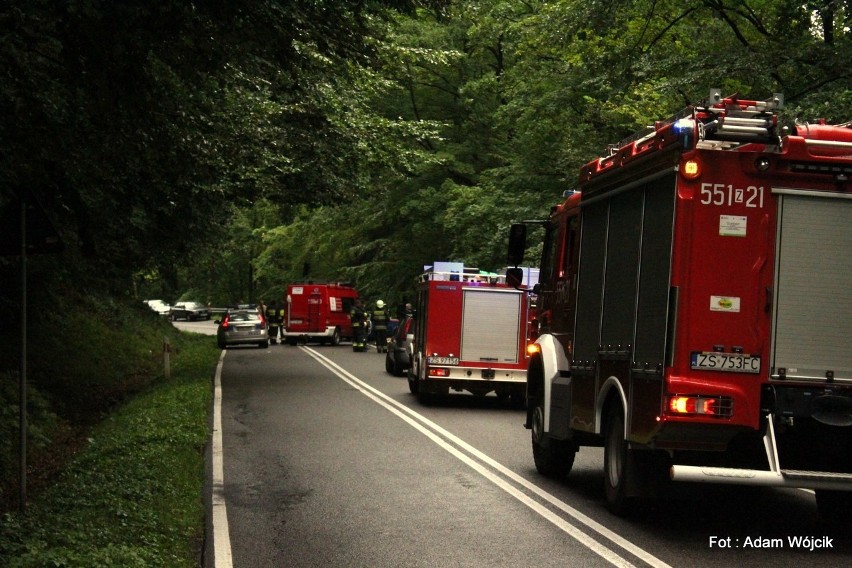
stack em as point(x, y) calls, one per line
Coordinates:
point(133, 496)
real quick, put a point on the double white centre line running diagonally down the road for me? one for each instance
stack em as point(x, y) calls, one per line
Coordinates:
point(442, 437)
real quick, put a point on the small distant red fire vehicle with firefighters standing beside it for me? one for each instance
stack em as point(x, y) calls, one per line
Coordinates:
point(318, 312)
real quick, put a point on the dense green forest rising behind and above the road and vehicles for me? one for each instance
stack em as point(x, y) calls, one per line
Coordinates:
point(218, 150)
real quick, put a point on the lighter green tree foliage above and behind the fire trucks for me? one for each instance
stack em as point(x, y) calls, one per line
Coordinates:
point(527, 92)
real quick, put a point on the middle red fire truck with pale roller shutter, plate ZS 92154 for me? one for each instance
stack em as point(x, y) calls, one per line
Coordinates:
point(471, 335)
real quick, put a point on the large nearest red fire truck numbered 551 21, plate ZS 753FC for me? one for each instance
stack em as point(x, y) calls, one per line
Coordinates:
point(694, 306)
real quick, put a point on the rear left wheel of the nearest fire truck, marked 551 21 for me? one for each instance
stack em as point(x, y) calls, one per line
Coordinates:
point(617, 464)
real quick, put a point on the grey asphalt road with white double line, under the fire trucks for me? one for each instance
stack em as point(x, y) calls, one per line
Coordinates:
point(329, 461)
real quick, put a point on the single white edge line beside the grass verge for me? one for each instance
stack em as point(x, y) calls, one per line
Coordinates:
point(221, 536)
